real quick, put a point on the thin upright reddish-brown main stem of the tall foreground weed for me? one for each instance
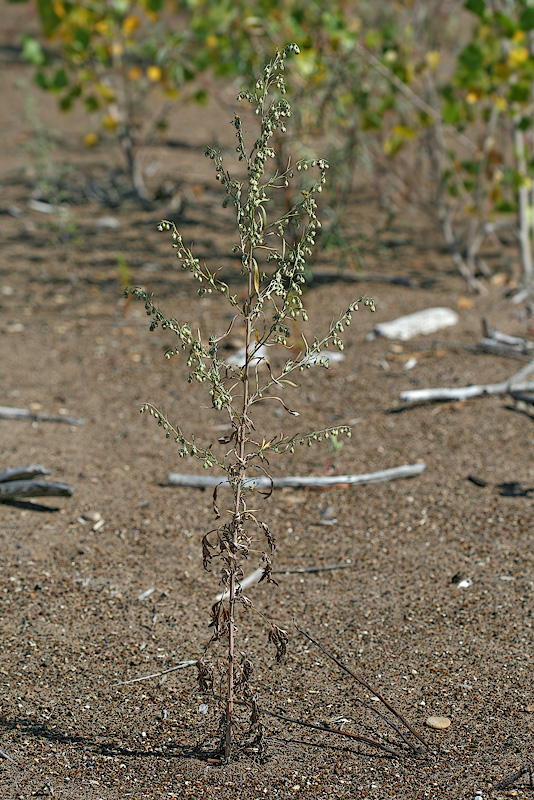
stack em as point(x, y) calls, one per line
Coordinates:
point(236, 526)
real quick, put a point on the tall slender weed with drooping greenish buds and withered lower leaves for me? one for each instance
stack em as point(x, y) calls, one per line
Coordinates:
point(273, 250)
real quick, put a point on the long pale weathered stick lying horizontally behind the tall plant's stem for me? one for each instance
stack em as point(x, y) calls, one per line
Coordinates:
point(262, 482)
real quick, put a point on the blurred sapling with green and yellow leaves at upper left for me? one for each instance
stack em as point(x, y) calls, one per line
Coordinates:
point(110, 56)
